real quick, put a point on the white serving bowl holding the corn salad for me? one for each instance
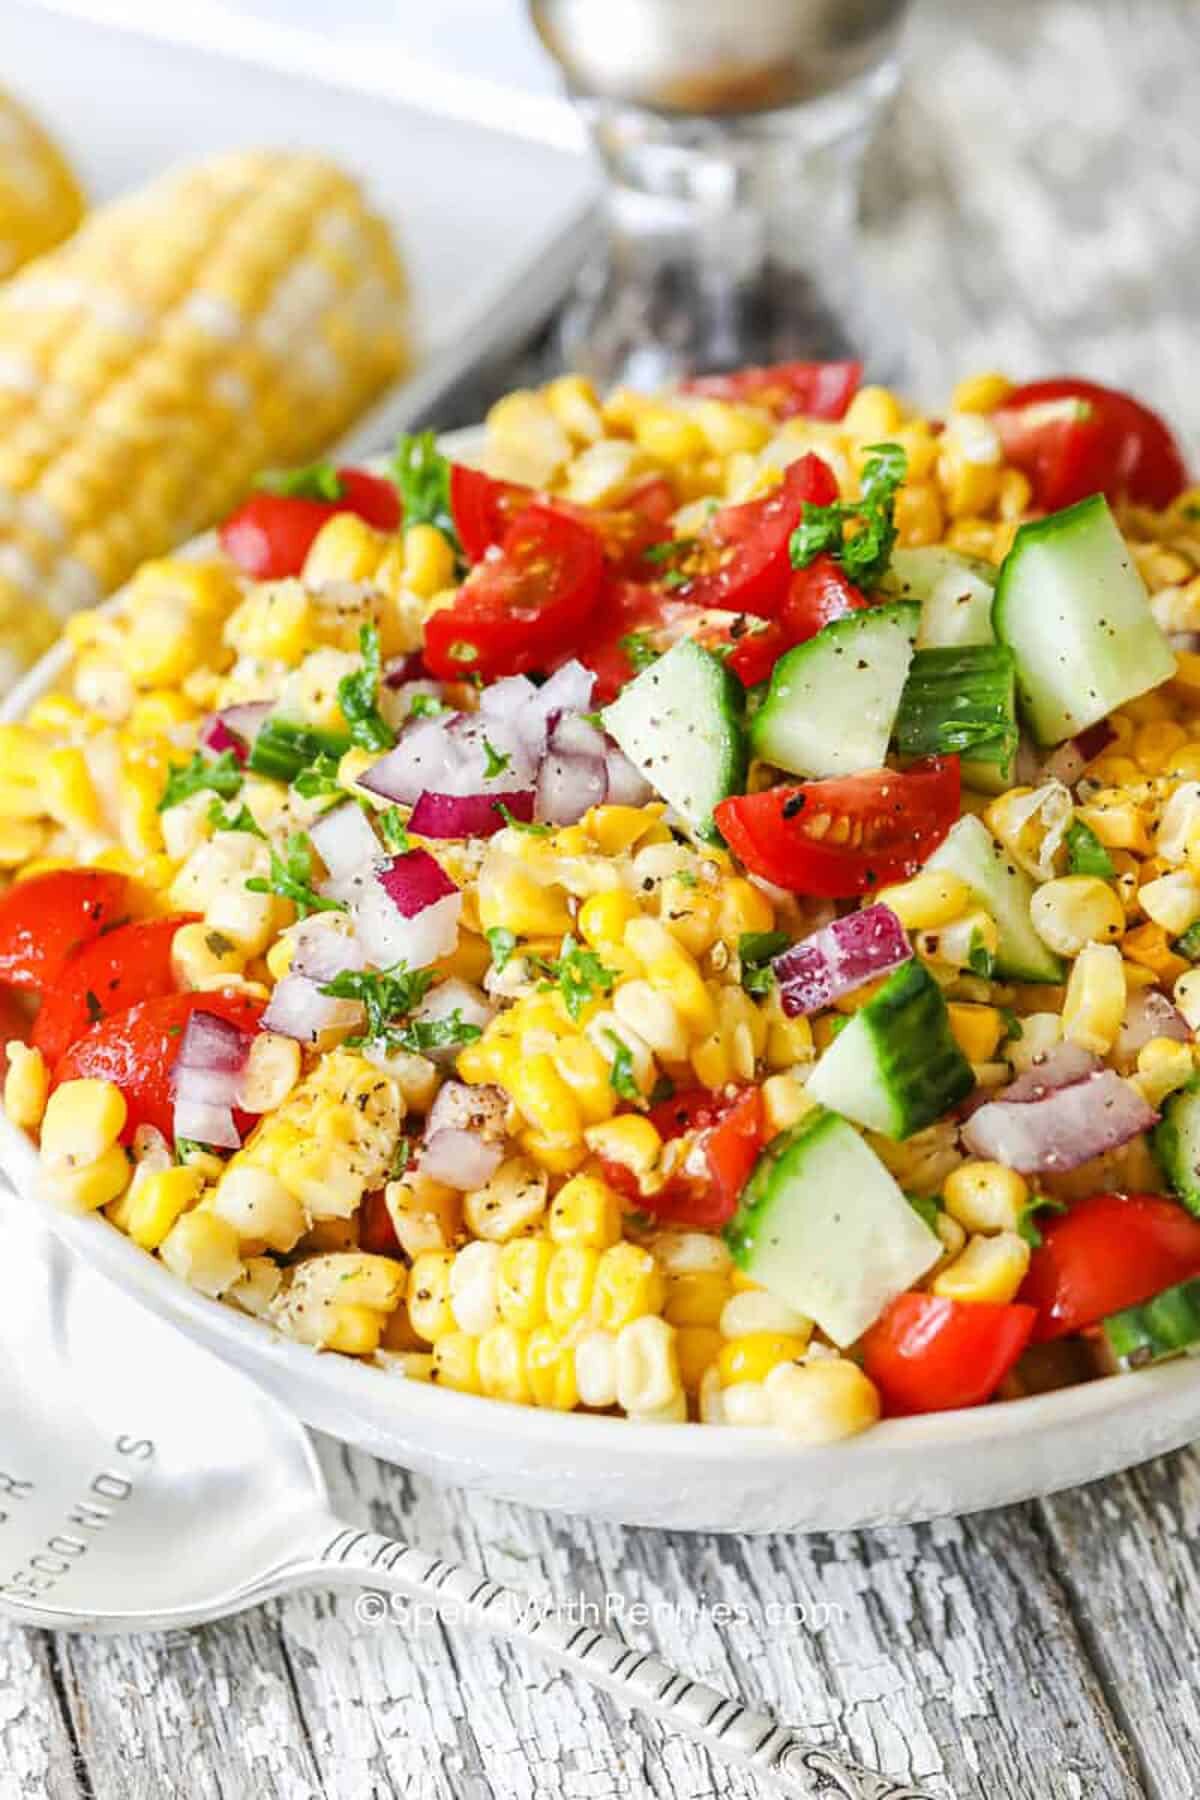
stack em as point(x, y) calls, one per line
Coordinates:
point(677, 1477)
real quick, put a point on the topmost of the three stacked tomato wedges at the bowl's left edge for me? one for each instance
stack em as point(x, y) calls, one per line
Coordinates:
point(46, 919)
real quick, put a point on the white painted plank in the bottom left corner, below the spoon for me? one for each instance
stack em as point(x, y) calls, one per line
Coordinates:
point(37, 1754)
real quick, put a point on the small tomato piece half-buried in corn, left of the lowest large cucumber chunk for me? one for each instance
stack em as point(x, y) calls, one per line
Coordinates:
point(730, 1137)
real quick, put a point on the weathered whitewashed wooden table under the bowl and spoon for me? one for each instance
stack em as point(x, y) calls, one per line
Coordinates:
point(1034, 201)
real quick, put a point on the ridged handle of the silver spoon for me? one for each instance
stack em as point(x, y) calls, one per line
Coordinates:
point(721, 1723)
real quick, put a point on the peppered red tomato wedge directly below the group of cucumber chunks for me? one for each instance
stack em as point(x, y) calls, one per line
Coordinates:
point(895, 822)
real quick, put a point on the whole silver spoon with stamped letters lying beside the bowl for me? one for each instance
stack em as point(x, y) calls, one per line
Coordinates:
point(147, 1486)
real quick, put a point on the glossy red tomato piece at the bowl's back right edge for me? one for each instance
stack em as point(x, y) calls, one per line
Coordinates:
point(1077, 438)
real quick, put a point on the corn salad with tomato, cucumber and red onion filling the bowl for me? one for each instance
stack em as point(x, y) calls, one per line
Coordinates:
point(533, 1158)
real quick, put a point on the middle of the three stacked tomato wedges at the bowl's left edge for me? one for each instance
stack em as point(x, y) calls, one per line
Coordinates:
point(107, 976)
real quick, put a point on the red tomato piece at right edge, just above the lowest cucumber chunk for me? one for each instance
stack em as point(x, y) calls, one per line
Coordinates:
point(1109, 1252)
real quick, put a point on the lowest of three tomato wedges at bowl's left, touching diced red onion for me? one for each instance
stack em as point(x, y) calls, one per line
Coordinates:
point(138, 1052)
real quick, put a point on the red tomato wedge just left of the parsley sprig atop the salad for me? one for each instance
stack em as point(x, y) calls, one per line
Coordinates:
point(740, 561)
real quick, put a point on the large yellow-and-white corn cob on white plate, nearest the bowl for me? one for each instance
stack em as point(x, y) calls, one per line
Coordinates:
point(231, 316)
